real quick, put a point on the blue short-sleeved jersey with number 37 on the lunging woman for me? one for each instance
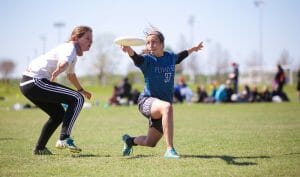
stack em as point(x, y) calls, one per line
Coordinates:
point(159, 75)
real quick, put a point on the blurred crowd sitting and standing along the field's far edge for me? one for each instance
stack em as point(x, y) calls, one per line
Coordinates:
point(215, 92)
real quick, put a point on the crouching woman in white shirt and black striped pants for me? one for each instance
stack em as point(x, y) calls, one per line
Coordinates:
point(39, 86)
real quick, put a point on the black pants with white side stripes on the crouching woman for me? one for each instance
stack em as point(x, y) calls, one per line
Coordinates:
point(49, 97)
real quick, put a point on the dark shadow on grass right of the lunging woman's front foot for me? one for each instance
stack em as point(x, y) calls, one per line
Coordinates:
point(230, 160)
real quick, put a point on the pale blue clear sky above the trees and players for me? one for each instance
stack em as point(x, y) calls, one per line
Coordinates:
point(233, 24)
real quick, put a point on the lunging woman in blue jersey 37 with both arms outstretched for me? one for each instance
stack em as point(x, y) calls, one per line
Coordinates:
point(155, 102)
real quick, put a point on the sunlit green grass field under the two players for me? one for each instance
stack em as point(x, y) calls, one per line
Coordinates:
point(261, 139)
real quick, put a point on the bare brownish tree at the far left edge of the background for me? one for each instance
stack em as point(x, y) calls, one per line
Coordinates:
point(7, 66)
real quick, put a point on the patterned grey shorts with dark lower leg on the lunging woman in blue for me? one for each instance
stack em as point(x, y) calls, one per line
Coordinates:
point(144, 105)
